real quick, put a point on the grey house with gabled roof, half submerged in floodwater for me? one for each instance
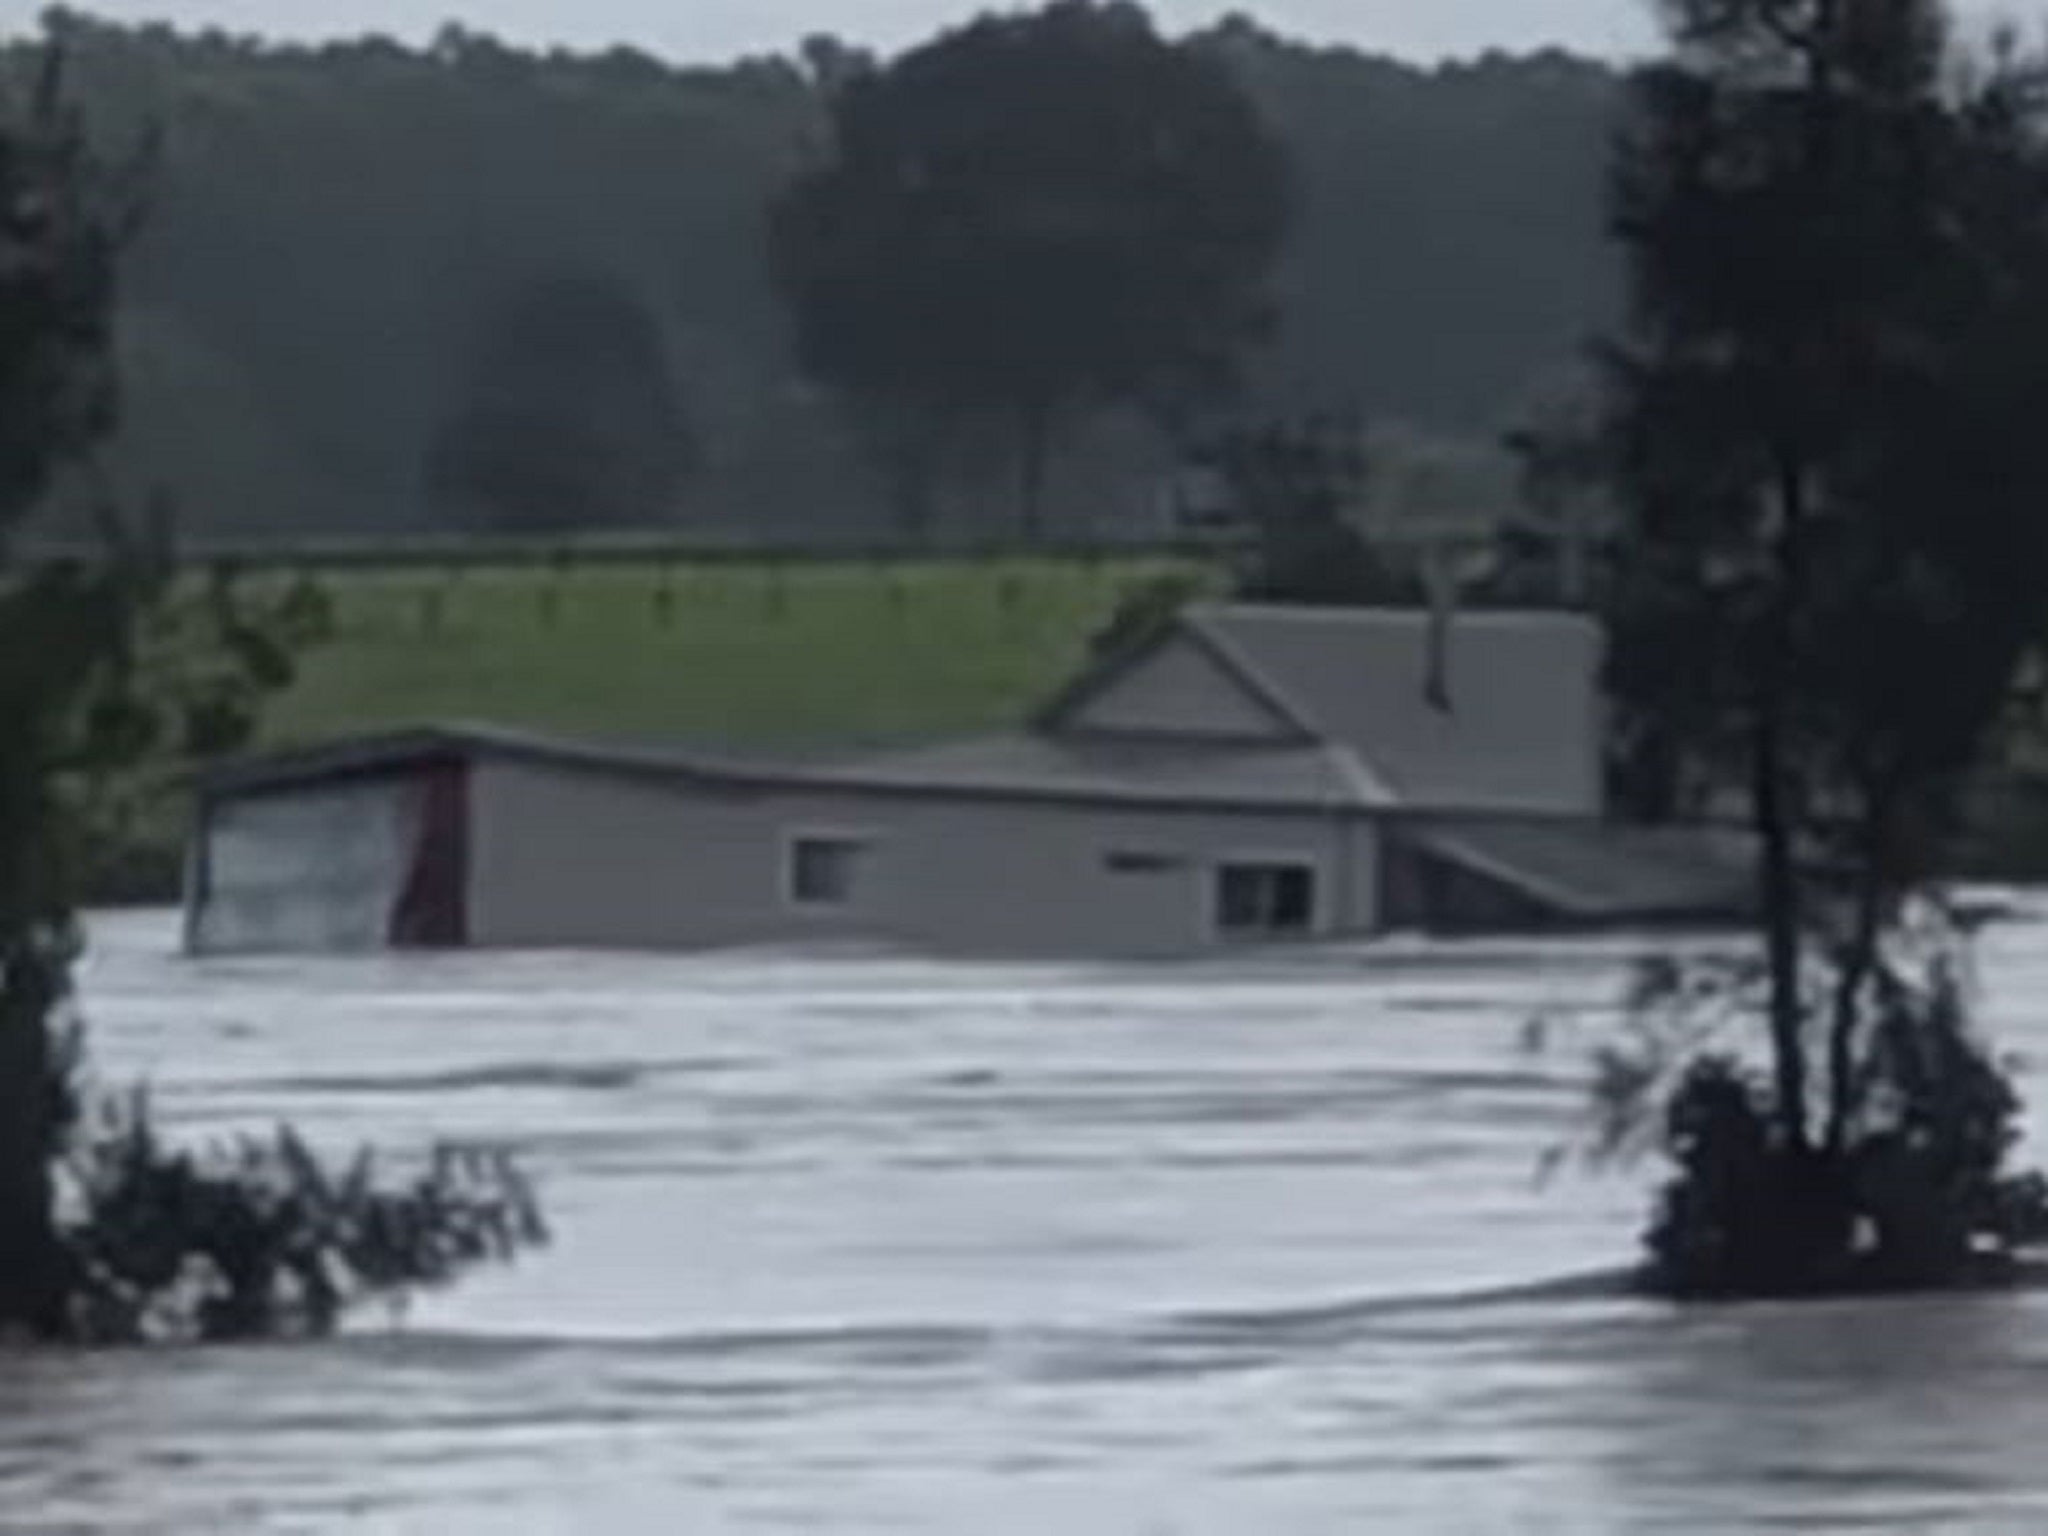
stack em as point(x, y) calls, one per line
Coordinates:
point(1244, 775)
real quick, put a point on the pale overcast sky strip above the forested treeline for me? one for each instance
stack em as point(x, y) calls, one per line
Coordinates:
point(718, 30)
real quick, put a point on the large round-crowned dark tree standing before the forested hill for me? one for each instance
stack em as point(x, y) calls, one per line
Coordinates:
point(1033, 218)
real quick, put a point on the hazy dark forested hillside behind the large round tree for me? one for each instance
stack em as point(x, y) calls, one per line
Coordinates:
point(376, 280)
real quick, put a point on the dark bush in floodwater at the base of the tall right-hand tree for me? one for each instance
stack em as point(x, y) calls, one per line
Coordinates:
point(1912, 1193)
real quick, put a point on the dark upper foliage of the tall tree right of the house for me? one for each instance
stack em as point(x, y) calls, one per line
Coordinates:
point(1818, 425)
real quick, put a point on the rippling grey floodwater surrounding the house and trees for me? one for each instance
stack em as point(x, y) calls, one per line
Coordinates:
point(880, 1246)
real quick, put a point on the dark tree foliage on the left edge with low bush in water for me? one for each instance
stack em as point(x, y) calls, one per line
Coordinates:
point(105, 671)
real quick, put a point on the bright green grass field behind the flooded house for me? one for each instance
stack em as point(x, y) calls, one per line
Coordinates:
point(806, 652)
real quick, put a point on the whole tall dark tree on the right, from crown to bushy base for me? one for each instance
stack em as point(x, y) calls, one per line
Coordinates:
point(1840, 271)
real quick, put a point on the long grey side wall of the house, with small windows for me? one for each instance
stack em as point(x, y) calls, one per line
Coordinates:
point(566, 857)
